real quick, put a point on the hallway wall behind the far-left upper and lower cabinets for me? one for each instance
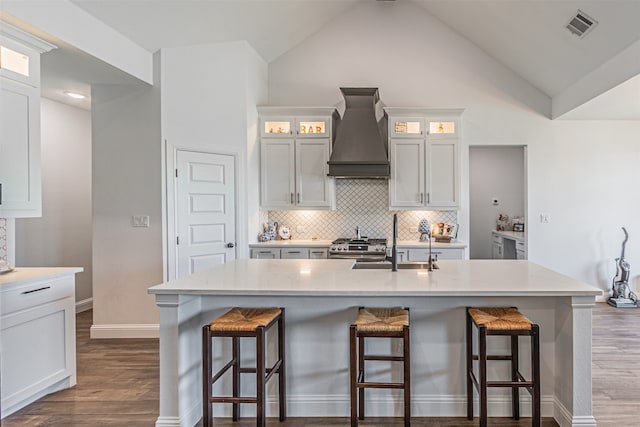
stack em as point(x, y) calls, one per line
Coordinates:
point(62, 236)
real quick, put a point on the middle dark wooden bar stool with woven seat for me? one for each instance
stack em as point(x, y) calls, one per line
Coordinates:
point(378, 323)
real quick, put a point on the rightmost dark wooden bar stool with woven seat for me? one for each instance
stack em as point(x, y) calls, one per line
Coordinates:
point(505, 321)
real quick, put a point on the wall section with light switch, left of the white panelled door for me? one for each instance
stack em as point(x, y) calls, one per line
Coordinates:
point(126, 182)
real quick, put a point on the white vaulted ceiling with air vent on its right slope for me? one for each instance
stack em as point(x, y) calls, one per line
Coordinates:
point(527, 36)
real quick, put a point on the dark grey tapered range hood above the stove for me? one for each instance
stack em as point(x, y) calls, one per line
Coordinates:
point(360, 147)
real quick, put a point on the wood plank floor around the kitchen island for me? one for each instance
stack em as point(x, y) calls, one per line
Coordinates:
point(118, 384)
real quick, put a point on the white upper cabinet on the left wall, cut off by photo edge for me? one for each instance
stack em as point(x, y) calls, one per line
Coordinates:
point(20, 176)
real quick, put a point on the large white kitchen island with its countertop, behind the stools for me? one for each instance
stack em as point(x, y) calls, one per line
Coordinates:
point(321, 299)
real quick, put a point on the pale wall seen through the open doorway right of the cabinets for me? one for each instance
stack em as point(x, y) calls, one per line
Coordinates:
point(493, 172)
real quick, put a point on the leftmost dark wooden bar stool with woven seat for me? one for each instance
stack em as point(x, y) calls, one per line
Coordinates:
point(238, 323)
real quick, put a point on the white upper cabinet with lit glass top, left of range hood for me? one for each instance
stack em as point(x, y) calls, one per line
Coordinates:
point(295, 148)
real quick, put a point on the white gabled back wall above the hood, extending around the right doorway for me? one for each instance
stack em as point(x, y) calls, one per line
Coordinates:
point(580, 173)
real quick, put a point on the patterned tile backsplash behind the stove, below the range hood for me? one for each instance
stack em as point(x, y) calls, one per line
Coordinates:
point(359, 202)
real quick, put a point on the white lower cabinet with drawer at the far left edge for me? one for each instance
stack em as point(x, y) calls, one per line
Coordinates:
point(38, 338)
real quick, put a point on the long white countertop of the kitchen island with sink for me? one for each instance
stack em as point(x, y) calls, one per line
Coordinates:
point(336, 278)
